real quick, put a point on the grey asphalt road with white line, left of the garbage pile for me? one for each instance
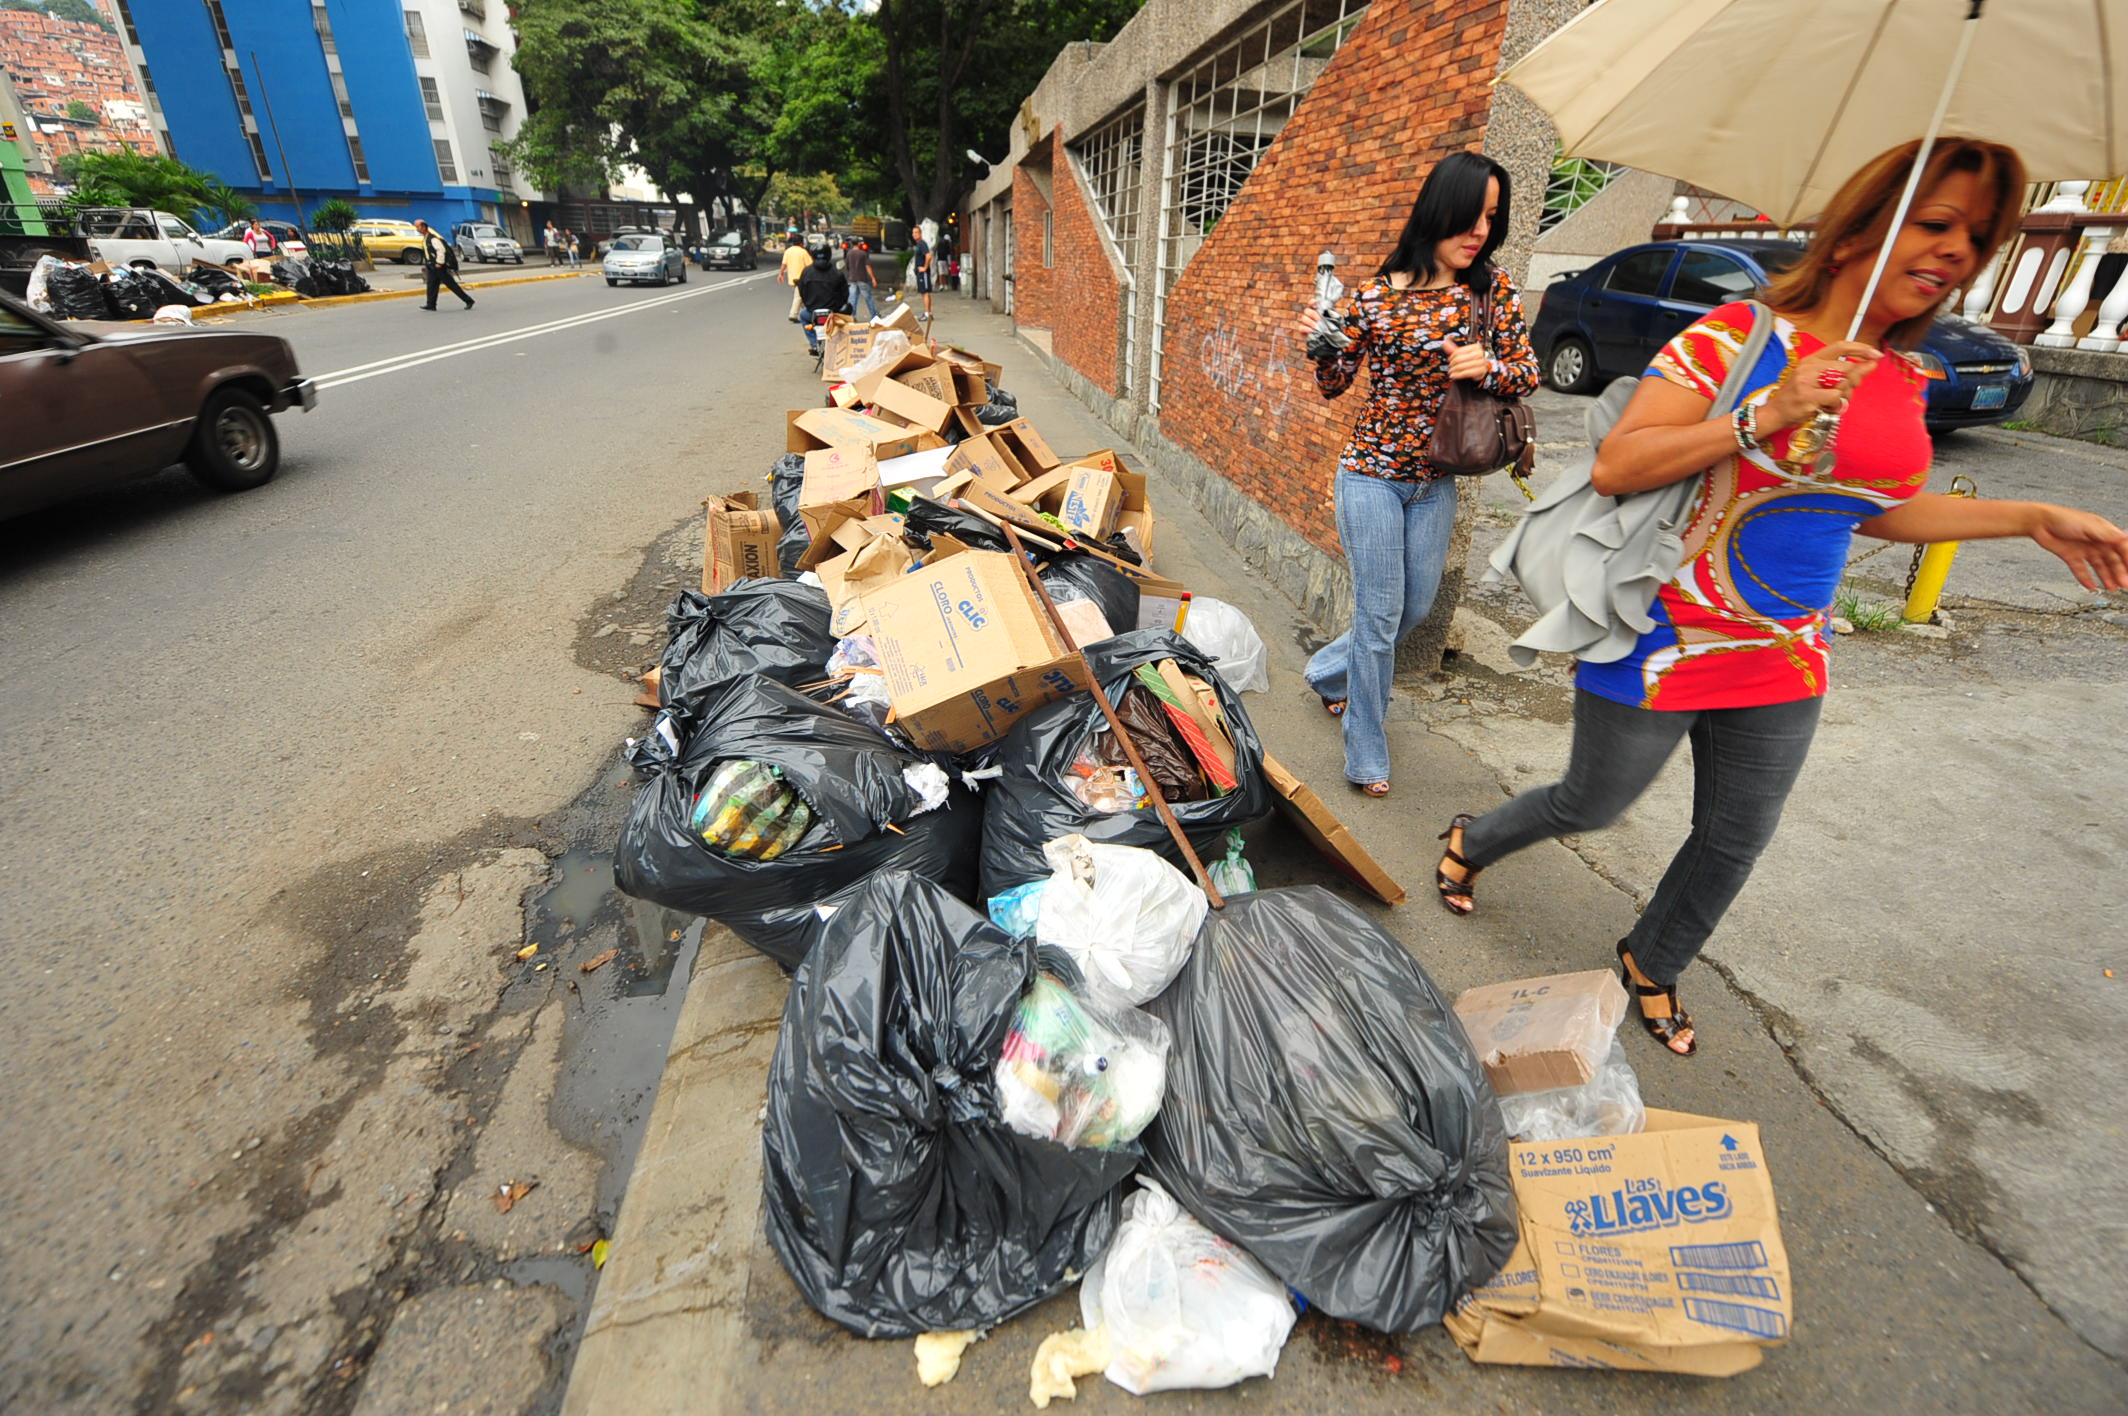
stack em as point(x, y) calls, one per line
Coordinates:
point(273, 772)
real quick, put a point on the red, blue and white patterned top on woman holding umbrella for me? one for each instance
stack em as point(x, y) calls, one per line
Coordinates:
point(1744, 623)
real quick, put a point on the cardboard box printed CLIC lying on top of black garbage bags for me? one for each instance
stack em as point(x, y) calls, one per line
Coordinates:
point(967, 651)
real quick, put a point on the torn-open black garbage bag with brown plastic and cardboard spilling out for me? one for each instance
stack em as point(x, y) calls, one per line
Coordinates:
point(1033, 804)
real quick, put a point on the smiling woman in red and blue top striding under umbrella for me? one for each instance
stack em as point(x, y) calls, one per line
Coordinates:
point(1738, 655)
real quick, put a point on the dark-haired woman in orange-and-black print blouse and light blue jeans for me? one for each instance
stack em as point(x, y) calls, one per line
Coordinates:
point(1395, 512)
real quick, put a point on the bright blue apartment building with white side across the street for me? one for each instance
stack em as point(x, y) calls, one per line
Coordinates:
point(284, 99)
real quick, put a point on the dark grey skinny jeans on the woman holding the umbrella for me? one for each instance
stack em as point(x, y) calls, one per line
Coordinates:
point(1744, 763)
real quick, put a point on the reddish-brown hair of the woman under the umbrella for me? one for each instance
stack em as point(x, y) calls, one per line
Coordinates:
point(1861, 220)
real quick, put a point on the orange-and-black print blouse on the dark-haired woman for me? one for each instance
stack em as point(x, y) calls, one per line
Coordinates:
point(1399, 333)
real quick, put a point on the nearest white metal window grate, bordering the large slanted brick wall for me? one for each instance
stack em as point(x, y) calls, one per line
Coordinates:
point(1223, 116)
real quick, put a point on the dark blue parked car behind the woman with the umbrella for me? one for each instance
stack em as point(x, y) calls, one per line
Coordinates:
point(1610, 323)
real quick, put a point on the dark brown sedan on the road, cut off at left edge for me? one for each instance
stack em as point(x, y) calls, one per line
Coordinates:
point(95, 410)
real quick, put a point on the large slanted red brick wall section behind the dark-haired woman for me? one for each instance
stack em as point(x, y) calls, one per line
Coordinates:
point(1406, 90)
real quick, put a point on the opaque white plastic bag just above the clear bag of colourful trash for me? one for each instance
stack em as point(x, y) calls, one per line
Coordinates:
point(1125, 915)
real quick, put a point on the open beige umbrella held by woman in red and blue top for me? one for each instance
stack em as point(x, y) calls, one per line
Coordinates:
point(1778, 101)
